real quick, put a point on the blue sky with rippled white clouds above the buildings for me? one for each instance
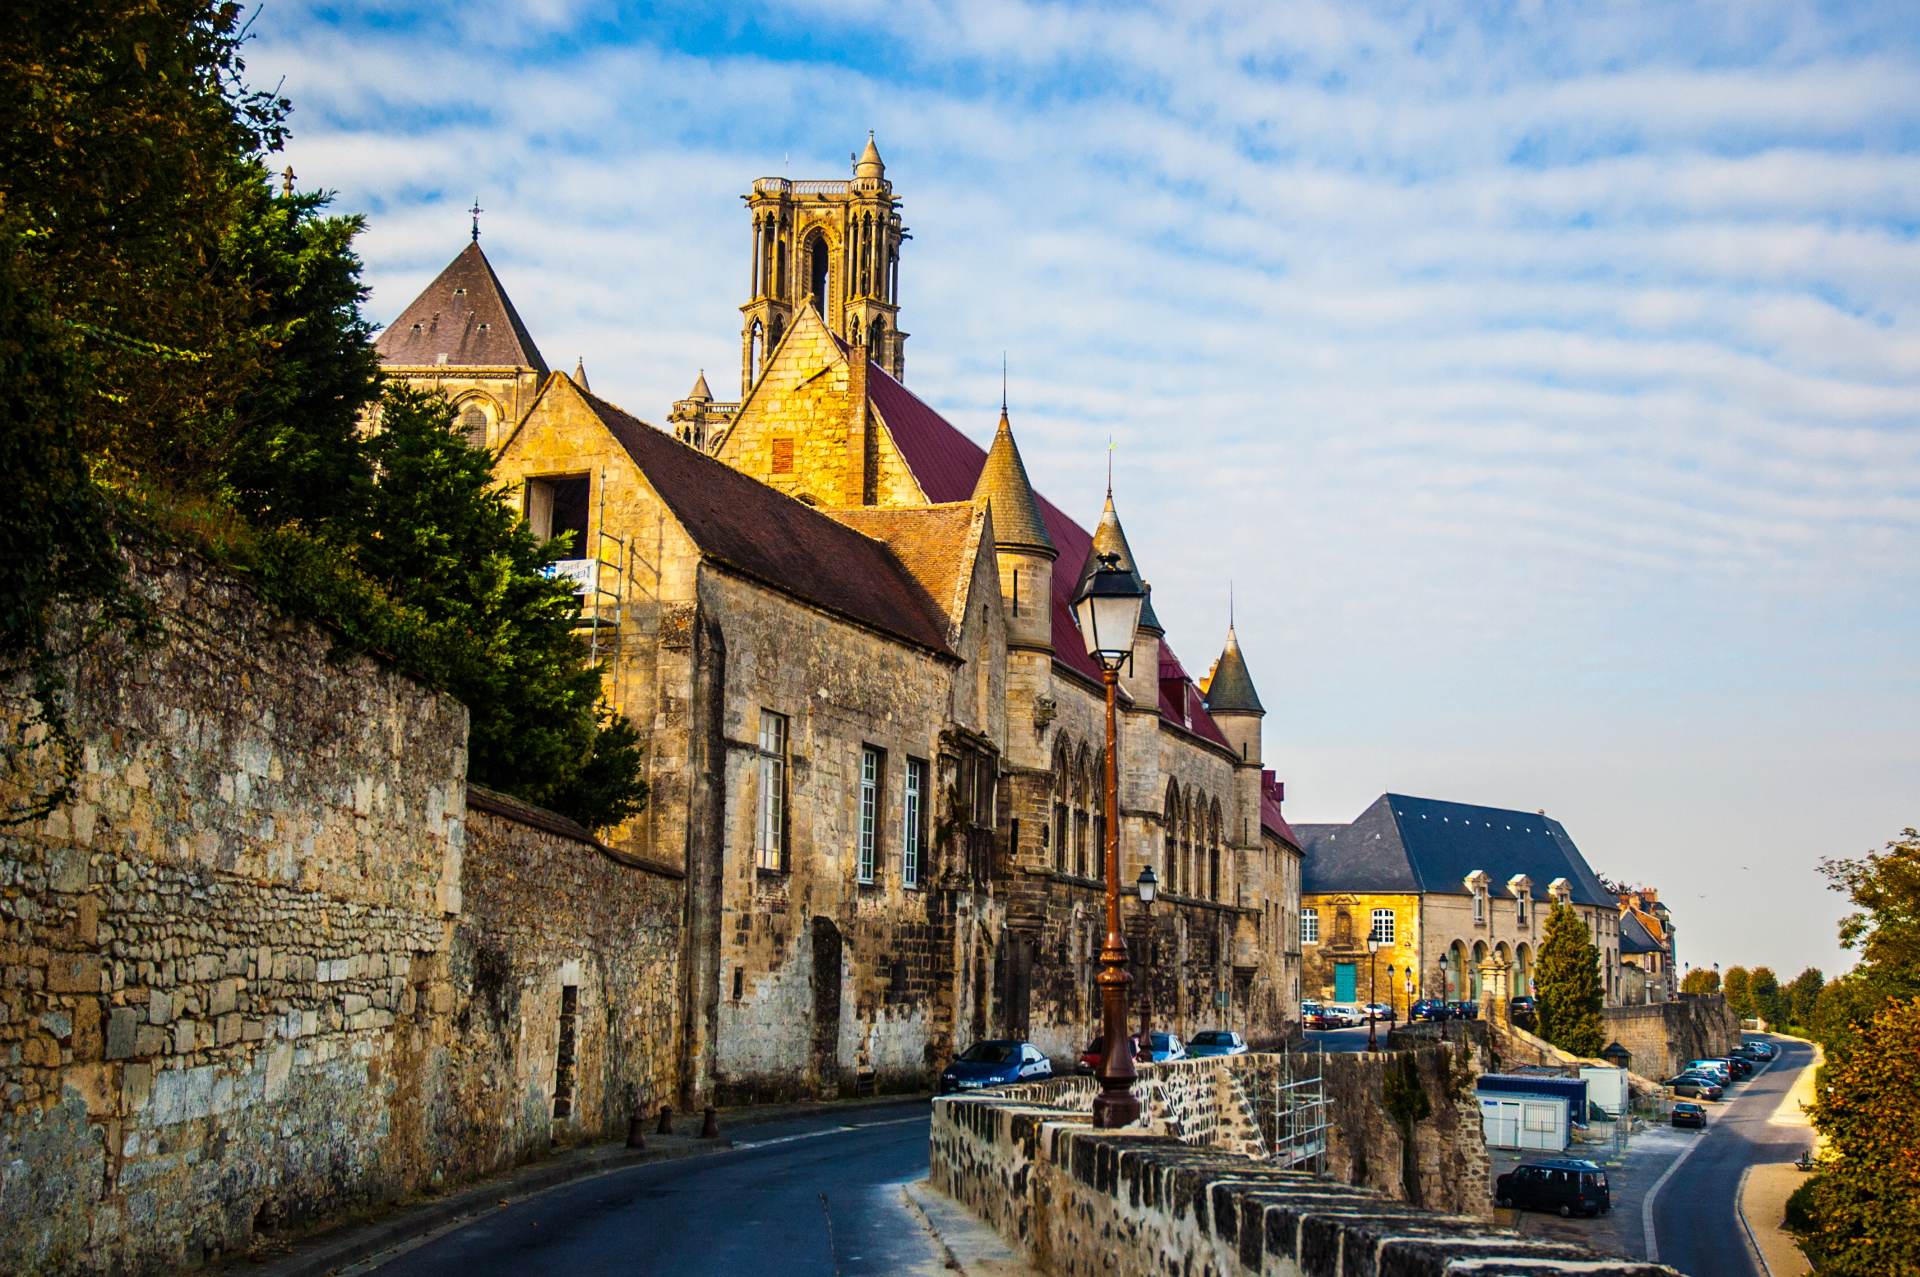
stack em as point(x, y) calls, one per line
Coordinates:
point(1543, 381)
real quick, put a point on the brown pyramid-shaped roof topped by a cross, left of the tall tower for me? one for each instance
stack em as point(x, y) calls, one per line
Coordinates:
point(462, 320)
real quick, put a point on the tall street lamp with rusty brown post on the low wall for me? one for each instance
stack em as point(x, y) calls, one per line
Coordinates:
point(1109, 612)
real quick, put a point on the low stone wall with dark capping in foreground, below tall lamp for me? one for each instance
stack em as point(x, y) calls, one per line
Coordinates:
point(1084, 1203)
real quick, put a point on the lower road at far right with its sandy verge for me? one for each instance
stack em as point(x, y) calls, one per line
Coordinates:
point(1694, 1222)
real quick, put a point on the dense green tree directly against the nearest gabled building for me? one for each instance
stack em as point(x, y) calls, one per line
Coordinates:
point(443, 541)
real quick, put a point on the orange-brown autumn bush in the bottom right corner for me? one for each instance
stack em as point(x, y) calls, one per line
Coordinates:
point(1867, 1199)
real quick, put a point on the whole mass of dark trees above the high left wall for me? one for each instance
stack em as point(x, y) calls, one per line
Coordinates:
point(183, 358)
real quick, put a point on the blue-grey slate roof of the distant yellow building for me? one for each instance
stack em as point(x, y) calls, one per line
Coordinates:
point(1429, 846)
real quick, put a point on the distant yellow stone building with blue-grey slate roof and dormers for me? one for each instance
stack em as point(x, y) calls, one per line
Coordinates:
point(1458, 894)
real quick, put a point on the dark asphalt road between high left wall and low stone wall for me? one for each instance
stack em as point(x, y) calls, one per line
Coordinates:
point(811, 1195)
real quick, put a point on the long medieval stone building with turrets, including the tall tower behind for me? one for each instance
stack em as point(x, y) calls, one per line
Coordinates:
point(832, 590)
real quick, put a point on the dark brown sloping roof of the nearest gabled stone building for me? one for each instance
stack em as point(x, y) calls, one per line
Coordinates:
point(777, 541)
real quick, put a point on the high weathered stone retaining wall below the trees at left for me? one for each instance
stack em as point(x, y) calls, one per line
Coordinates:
point(266, 967)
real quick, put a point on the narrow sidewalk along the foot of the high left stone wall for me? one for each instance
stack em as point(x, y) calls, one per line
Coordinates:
point(348, 1243)
